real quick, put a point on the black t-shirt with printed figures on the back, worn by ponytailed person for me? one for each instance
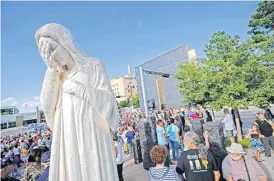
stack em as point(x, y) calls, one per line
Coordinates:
point(194, 168)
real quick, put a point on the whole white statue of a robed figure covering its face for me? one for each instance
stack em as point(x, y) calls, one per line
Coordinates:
point(80, 109)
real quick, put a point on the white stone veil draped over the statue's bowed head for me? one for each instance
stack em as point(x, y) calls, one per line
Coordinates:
point(63, 37)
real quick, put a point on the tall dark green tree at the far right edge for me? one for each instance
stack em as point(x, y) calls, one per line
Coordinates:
point(261, 27)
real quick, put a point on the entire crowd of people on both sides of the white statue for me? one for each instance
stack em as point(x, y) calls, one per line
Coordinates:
point(177, 145)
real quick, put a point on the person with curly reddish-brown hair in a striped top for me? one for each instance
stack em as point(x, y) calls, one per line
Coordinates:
point(158, 155)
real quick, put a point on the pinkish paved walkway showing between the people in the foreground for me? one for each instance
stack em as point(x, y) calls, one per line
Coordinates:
point(133, 172)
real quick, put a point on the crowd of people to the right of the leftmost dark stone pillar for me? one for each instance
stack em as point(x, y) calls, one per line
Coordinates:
point(199, 161)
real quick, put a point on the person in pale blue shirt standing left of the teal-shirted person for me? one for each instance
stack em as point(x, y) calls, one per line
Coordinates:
point(162, 139)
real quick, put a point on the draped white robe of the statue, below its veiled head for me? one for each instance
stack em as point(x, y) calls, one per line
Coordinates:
point(82, 148)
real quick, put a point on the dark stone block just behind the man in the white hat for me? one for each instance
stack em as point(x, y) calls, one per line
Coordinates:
point(216, 134)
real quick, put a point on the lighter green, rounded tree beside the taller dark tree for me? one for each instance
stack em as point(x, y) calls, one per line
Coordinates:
point(222, 75)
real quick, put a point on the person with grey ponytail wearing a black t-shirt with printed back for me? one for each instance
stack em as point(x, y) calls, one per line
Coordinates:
point(196, 163)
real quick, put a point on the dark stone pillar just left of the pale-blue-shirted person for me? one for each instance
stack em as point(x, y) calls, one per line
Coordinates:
point(146, 142)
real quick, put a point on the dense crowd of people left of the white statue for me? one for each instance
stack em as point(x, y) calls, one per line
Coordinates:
point(26, 156)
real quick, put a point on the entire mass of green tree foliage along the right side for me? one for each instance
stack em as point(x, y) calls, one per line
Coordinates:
point(234, 74)
